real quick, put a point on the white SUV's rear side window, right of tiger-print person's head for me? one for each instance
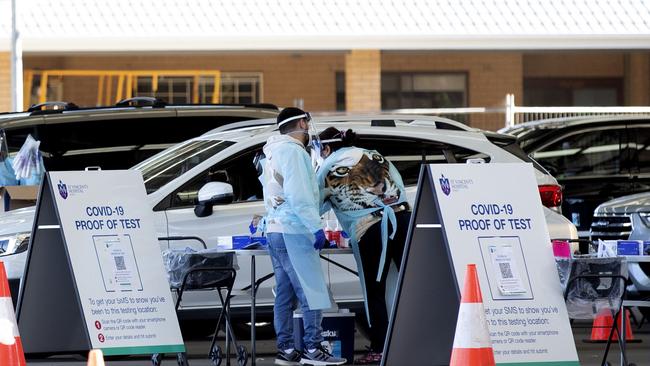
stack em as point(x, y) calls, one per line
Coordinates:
point(408, 154)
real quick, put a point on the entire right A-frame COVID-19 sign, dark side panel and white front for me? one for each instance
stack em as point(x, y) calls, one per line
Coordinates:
point(489, 215)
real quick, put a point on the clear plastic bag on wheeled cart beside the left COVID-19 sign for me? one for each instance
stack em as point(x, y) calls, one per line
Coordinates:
point(178, 262)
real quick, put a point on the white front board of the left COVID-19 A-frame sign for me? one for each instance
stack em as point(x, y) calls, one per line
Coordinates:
point(115, 257)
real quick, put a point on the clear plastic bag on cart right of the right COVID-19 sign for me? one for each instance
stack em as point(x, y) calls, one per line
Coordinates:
point(588, 297)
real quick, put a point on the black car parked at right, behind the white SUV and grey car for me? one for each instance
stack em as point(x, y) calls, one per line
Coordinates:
point(595, 159)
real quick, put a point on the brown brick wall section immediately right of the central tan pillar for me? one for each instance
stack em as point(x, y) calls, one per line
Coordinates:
point(491, 75)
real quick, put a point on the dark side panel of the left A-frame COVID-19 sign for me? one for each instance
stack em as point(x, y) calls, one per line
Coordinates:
point(48, 303)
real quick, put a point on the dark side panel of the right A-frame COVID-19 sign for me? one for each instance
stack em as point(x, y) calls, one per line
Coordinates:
point(422, 323)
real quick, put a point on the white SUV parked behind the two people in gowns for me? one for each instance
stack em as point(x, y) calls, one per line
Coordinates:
point(174, 177)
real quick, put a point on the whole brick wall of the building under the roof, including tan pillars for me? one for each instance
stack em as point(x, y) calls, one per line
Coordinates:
point(311, 75)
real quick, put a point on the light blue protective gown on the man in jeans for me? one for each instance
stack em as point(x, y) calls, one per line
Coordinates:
point(291, 198)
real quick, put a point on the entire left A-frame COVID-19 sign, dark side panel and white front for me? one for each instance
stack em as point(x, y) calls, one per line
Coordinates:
point(90, 281)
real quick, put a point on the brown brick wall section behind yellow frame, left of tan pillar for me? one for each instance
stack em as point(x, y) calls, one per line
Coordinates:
point(285, 76)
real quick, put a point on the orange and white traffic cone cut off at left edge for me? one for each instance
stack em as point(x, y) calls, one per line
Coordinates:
point(11, 349)
